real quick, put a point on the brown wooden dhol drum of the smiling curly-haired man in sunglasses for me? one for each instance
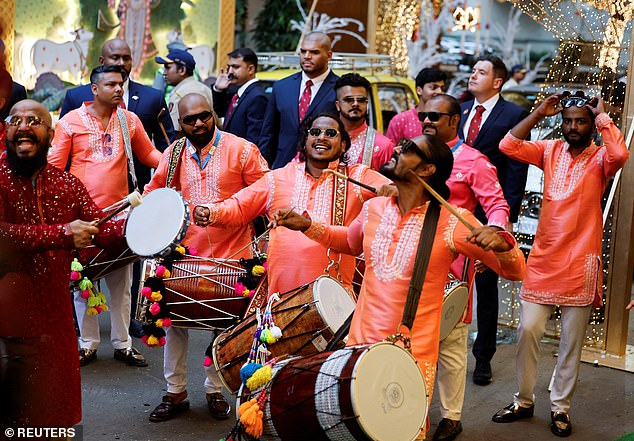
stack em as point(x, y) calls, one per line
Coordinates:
point(309, 317)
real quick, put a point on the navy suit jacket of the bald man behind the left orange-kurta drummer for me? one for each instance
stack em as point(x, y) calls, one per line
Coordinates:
point(143, 101)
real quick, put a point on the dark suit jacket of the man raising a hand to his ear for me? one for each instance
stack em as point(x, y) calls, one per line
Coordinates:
point(247, 116)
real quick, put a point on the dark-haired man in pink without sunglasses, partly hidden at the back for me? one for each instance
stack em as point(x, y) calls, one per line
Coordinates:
point(429, 82)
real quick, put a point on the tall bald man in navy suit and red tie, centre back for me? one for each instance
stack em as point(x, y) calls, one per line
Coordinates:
point(296, 99)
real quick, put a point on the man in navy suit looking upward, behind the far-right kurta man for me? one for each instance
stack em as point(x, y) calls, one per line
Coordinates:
point(484, 122)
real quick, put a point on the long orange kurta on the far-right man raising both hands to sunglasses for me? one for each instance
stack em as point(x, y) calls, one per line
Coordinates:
point(564, 265)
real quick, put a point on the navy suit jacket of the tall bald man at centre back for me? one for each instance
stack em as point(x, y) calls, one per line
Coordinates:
point(281, 129)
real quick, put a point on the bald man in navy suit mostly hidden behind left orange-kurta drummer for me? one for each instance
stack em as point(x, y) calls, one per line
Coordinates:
point(141, 100)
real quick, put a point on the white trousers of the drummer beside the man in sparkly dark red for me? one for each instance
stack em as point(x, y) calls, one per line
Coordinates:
point(118, 283)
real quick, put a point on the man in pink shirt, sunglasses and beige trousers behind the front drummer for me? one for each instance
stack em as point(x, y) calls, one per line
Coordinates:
point(473, 181)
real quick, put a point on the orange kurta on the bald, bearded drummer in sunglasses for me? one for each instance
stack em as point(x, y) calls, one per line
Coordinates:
point(234, 163)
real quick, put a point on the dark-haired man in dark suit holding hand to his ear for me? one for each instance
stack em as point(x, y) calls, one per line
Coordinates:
point(238, 97)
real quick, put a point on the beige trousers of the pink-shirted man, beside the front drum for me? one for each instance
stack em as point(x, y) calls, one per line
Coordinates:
point(451, 376)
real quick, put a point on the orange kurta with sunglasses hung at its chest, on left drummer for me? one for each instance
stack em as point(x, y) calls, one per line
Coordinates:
point(97, 155)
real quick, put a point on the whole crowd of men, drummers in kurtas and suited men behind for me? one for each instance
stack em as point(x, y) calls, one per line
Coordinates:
point(274, 156)
